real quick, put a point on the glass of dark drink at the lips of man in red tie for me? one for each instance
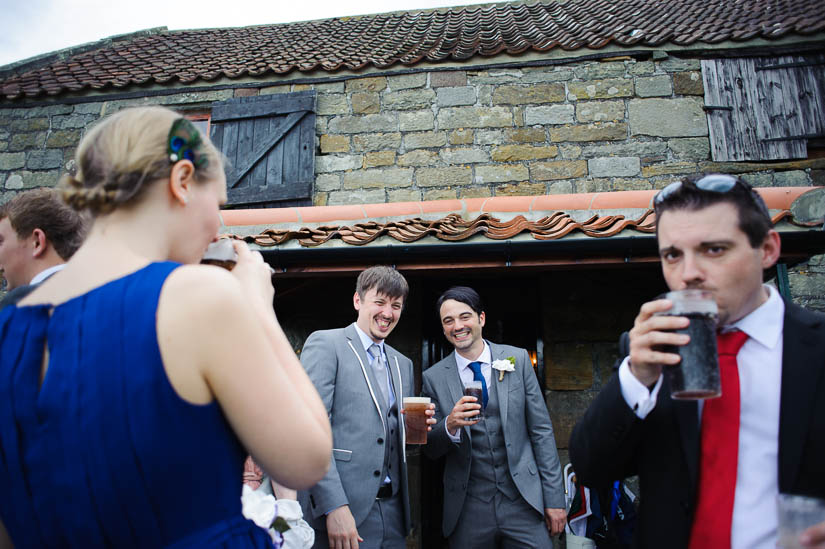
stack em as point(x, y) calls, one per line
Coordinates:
point(697, 375)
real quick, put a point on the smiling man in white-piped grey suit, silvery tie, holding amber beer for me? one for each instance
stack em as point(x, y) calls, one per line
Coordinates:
point(363, 501)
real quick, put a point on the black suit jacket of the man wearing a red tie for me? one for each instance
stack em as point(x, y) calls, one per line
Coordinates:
point(611, 443)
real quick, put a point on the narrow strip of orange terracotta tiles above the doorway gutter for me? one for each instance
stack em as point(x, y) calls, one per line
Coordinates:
point(477, 217)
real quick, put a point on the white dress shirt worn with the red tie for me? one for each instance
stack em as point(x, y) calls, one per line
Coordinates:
point(760, 378)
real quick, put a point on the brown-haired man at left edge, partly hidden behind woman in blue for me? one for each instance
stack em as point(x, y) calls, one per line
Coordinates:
point(38, 234)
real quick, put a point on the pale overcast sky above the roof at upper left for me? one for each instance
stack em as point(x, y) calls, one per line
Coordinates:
point(33, 27)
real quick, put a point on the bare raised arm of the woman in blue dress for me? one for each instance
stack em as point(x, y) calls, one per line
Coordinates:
point(217, 341)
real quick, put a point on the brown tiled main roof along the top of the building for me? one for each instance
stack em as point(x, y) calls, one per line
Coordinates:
point(387, 39)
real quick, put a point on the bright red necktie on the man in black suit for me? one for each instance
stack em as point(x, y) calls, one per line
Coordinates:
point(719, 452)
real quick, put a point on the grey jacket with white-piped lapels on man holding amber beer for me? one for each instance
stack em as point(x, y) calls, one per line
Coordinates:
point(340, 369)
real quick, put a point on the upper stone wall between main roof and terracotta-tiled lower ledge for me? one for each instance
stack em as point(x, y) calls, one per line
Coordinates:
point(618, 124)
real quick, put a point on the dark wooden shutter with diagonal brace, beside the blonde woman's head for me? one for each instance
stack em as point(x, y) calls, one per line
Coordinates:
point(270, 144)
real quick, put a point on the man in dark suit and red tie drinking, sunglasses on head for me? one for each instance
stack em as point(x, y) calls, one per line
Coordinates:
point(714, 233)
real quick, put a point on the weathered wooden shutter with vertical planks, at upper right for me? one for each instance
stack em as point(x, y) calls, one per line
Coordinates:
point(764, 108)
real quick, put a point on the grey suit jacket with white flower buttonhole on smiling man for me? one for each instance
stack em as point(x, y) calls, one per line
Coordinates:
point(528, 433)
